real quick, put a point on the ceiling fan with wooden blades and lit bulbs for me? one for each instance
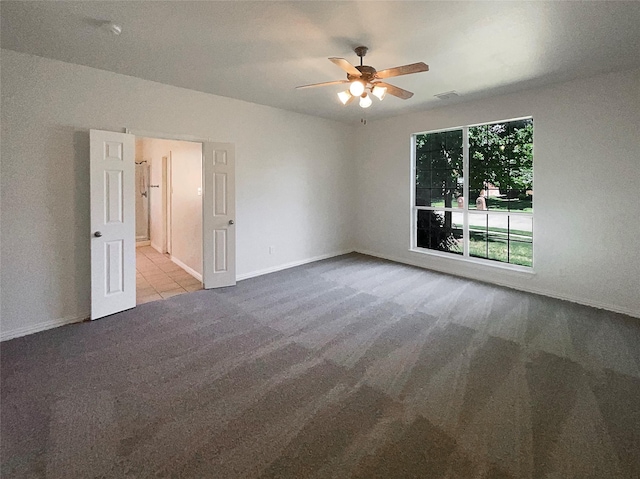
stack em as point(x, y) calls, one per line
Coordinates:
point(364, 79)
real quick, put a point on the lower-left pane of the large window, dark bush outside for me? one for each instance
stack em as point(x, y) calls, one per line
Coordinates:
point(440, 230)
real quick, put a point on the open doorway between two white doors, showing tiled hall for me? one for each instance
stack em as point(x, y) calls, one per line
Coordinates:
point(169, 256)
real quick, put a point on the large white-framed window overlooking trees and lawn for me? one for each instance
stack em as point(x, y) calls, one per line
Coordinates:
point(490, 216)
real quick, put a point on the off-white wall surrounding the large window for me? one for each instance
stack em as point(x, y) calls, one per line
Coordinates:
point(586, 183)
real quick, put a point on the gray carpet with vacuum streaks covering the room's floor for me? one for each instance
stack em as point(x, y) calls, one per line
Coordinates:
point(353, 367)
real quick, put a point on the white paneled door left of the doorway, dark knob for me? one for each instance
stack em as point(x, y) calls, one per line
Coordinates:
point(113, 245)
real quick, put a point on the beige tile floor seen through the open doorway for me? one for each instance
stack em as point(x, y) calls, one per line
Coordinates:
point(157, 277)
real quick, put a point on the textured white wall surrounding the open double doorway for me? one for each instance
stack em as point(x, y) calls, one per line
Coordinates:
point(293, 178)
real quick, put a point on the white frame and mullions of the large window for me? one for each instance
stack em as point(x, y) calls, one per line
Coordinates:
point(466, 212)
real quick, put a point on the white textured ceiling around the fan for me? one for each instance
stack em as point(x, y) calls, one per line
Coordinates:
point(260, 51)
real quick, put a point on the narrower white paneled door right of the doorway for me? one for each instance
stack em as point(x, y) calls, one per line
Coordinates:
point(219, 208)
